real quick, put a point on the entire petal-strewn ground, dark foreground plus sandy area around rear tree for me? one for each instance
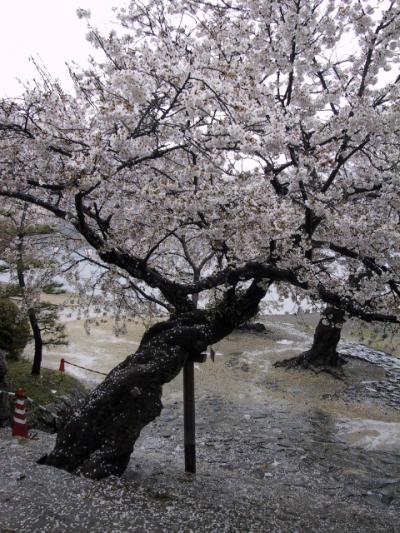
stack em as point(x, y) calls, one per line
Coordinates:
point(277, 451)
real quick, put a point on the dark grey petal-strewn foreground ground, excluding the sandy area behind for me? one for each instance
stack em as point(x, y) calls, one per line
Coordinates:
point(259, 470)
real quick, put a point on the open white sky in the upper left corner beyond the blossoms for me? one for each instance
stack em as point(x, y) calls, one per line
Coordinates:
point(45, 29)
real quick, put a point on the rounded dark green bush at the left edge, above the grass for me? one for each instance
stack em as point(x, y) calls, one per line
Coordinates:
point(14, 329)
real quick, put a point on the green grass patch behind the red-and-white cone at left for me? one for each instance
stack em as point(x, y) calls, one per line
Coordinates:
point(39, 387)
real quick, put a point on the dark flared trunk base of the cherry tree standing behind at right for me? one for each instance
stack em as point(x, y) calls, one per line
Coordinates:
point(323, 353)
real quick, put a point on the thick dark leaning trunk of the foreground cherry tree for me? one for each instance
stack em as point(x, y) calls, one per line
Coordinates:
point(98, 439)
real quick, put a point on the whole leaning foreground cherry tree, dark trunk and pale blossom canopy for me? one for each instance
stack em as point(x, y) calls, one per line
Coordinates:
point(216, 148)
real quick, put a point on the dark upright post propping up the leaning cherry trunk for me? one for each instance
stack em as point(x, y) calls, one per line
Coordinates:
point(189, 417)
